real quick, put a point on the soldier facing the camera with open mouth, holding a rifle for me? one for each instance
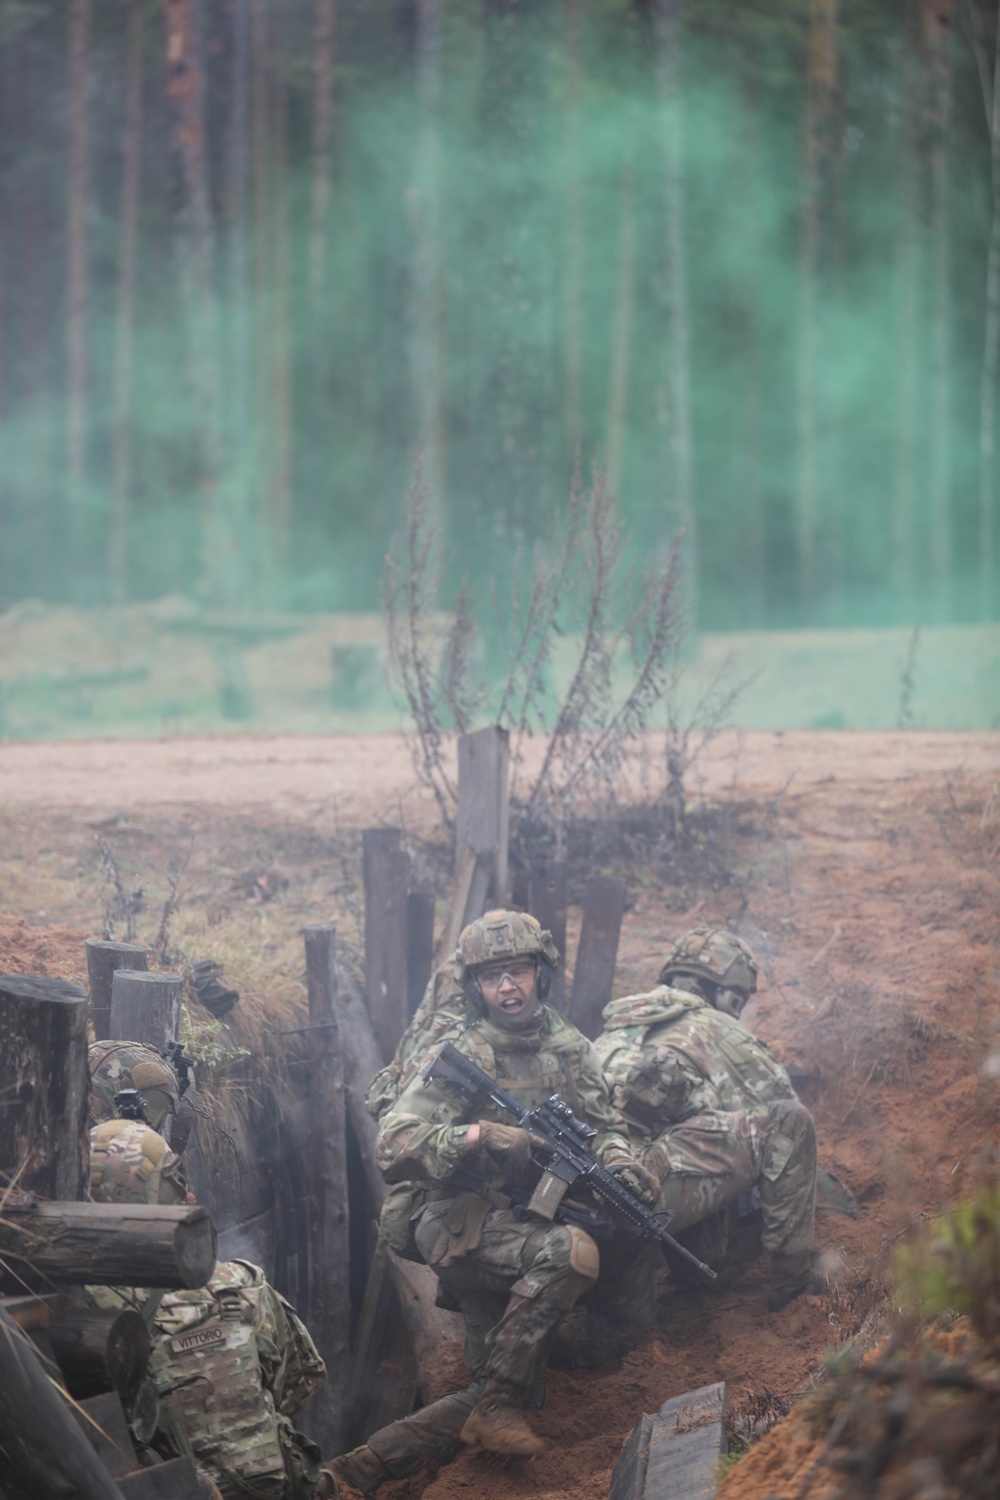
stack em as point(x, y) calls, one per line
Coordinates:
point(512, 1277)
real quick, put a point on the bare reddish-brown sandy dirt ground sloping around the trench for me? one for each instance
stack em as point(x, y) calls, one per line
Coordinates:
point(869, 886)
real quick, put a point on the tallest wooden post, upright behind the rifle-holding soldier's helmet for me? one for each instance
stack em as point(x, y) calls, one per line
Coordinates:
point(484, 817)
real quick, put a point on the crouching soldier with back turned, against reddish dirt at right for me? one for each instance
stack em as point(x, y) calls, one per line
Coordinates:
point(710, 1108)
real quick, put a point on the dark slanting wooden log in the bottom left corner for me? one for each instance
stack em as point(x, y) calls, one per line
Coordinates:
point(43, 1451)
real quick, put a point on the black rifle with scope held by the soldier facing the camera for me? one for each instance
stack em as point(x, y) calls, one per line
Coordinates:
point(566, 1157)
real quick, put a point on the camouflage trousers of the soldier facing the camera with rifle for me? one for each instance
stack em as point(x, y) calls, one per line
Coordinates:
point(512, 1285)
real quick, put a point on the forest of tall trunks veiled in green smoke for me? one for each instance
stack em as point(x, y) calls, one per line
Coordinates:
point(257, 256)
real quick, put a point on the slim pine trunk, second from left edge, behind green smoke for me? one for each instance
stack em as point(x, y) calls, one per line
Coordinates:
point(131, 152)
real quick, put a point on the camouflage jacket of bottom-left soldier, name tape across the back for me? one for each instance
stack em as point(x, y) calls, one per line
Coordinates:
point(233, 1363)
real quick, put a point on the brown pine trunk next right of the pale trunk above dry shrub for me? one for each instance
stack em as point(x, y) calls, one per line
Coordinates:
point(818, 172)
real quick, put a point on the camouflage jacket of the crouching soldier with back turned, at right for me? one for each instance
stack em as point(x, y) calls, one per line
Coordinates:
point(669, 1055)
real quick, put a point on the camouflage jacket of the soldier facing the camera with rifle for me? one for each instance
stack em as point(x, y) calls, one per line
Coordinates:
point(424, 1135)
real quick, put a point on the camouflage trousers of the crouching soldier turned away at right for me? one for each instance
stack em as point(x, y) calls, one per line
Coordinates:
point(707, 1162)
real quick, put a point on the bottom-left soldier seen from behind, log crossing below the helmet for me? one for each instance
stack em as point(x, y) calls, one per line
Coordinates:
point(232, 1361)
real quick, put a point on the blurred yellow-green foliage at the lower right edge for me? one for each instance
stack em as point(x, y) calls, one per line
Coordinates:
point(956, 1265)
